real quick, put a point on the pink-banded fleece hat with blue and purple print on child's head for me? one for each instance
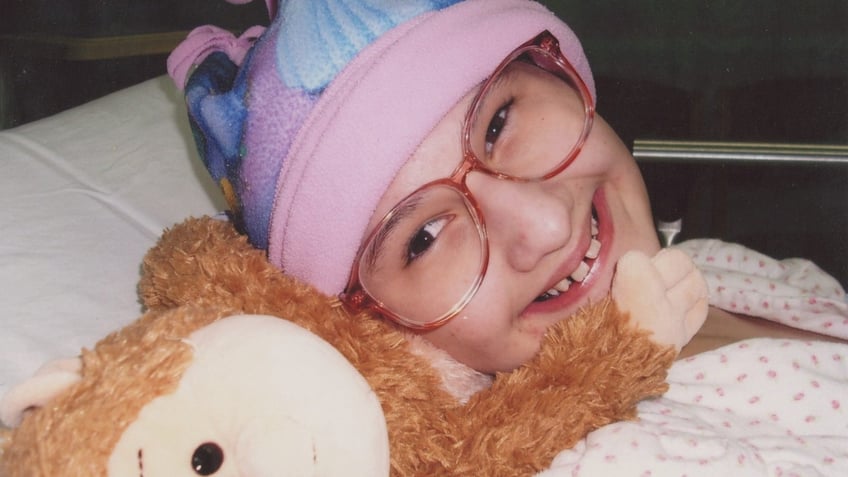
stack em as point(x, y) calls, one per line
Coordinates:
point(305, 124)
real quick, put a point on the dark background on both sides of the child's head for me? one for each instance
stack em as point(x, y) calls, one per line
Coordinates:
point(758, 70)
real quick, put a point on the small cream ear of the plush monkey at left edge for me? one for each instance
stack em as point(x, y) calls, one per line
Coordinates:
point(48, 382)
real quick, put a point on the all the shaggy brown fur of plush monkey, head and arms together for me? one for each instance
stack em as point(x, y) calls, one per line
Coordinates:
point(592, 370)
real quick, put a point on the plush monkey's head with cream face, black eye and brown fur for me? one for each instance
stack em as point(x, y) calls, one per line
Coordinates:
point(257, 396)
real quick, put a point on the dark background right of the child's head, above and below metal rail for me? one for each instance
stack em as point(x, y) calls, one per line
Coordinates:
point(723, 70)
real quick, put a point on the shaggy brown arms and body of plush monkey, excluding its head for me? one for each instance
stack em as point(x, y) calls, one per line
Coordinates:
point(592, 370)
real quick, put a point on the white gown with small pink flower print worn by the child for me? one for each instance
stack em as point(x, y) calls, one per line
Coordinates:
point(761, 407)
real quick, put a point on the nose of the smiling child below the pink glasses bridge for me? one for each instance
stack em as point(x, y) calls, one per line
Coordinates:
point(525, 221)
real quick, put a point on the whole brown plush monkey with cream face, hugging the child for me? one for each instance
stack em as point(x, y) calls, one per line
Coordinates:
point(592, 370)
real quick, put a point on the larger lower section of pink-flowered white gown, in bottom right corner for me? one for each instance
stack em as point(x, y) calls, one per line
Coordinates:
point(760, 407)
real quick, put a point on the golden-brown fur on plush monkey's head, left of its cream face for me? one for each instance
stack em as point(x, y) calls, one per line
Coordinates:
point(74, 435)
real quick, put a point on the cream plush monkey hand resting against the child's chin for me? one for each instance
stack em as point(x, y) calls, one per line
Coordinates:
point(664, 294)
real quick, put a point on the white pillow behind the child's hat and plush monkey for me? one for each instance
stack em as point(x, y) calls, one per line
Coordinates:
point(85, 194)
